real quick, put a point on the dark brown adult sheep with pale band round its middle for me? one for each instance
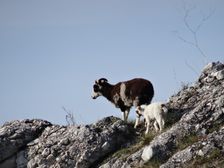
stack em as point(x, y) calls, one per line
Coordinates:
point(126, 94)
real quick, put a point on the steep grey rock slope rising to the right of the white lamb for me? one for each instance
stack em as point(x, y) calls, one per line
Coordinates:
point(197, 116)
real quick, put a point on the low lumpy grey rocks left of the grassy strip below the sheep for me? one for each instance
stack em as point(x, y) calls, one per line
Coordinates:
point(27, 144)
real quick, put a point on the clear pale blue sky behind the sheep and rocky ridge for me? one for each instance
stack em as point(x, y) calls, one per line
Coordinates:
point(51, 51)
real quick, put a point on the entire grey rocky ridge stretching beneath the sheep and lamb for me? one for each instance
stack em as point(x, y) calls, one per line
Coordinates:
point(193, 137)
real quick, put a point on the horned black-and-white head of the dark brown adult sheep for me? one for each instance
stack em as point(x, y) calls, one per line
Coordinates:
point(98, 87)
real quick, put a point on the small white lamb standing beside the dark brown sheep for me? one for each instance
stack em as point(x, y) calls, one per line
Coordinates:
point(153, 111)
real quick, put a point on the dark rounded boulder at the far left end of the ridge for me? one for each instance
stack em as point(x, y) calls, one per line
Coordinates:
point(14, 136)
